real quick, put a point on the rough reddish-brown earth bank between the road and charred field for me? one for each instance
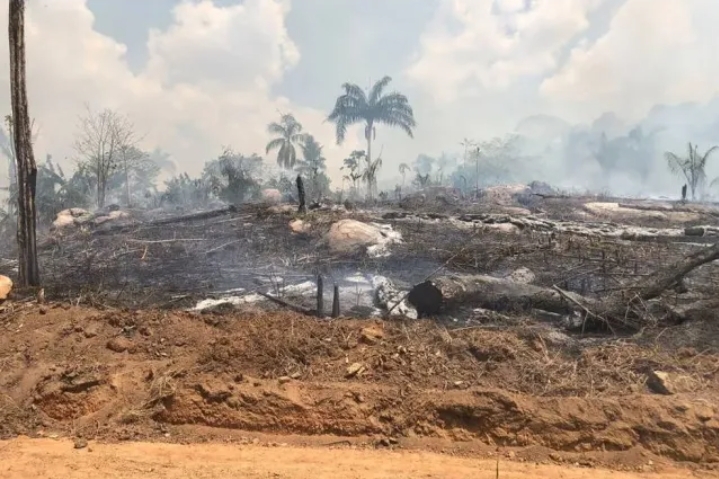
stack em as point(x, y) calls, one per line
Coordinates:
point(159, 376)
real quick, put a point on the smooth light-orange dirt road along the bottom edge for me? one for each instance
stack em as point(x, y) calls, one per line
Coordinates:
point(46, 458)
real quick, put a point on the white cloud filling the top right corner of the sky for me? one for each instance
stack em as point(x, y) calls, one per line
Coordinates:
point(655, 51)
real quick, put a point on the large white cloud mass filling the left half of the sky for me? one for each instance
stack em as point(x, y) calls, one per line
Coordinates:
point(207, 82)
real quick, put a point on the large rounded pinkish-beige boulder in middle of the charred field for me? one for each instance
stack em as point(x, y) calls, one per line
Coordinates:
point(351, 236)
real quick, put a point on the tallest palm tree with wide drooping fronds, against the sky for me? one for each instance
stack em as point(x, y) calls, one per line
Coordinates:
point(371, 108)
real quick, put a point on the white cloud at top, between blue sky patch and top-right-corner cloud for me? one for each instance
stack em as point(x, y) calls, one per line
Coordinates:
point(477, 46)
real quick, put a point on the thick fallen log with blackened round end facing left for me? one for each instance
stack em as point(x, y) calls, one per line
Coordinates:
point(448, 292)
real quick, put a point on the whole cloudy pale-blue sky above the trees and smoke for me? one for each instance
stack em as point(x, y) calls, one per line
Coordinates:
point(196, 75)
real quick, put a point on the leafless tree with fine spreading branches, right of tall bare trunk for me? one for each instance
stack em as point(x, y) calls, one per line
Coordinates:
point(105, 142)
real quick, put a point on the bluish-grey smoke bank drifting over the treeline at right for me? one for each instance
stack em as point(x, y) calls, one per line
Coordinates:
point(608, 155)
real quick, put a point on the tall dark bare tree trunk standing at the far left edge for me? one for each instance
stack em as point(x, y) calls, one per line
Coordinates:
point(29, 272)
